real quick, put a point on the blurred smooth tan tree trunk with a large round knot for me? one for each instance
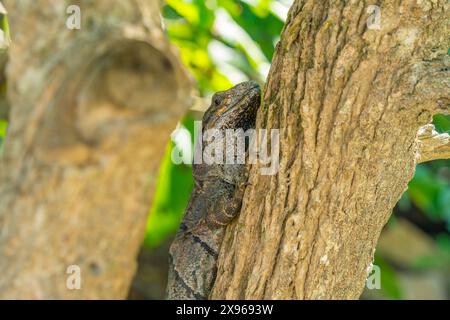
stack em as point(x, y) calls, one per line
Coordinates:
point(92, 110)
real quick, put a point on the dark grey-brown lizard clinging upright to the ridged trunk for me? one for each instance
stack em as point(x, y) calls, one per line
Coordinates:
point(215, 200)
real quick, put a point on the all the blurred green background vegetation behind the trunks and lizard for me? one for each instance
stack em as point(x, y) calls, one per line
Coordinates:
point(224, 42)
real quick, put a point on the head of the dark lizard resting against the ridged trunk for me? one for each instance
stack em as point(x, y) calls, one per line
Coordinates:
point(234, 108)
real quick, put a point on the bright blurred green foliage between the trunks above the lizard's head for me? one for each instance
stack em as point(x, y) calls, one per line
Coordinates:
point(223, 41)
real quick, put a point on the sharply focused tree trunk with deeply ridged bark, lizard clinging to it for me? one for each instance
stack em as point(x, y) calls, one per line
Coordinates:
point(349, 102)
